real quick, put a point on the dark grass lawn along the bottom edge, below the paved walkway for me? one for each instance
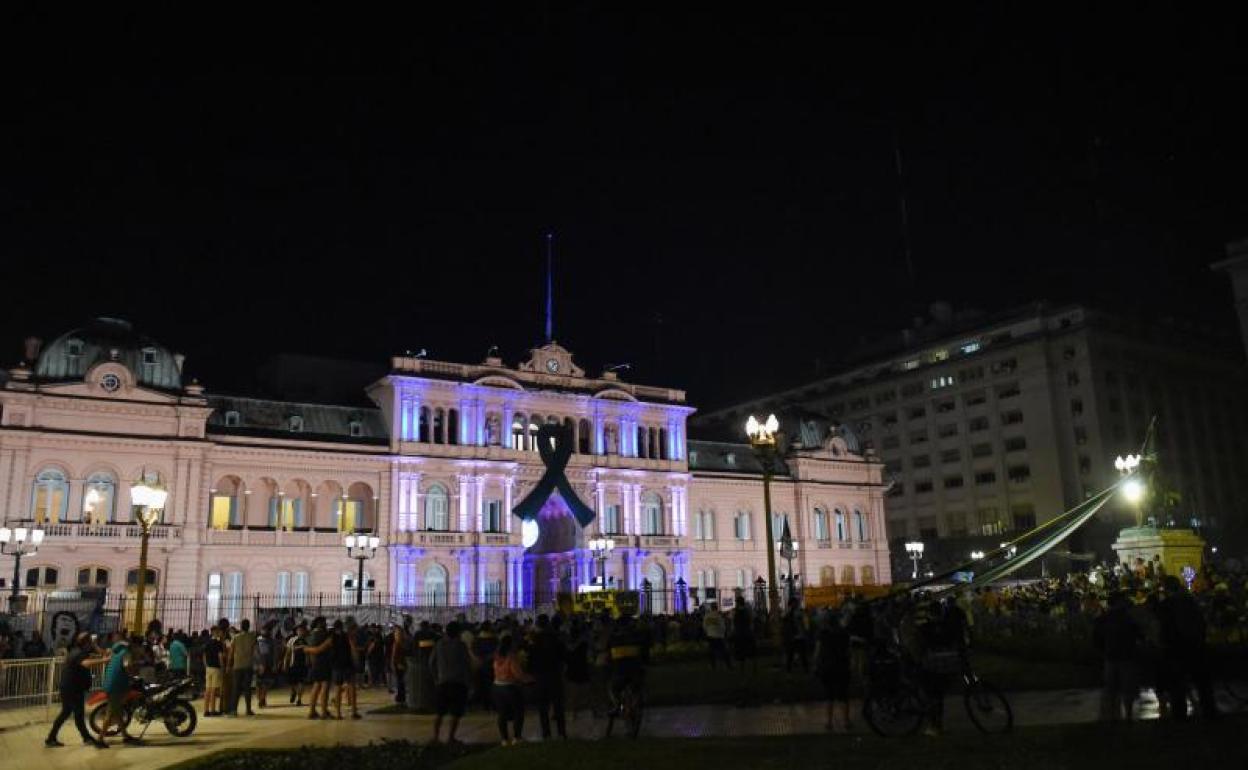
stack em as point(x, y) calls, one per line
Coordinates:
point(1070, 748)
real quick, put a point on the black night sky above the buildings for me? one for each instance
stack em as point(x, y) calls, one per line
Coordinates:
point(723, 185)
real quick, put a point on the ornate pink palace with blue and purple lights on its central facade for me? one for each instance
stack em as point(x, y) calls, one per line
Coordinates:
point(261, 492)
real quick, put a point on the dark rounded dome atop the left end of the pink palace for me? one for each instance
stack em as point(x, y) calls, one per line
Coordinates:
point(73, 355)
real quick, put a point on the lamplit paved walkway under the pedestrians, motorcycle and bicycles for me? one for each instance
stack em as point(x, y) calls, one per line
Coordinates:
point(284, 726)
